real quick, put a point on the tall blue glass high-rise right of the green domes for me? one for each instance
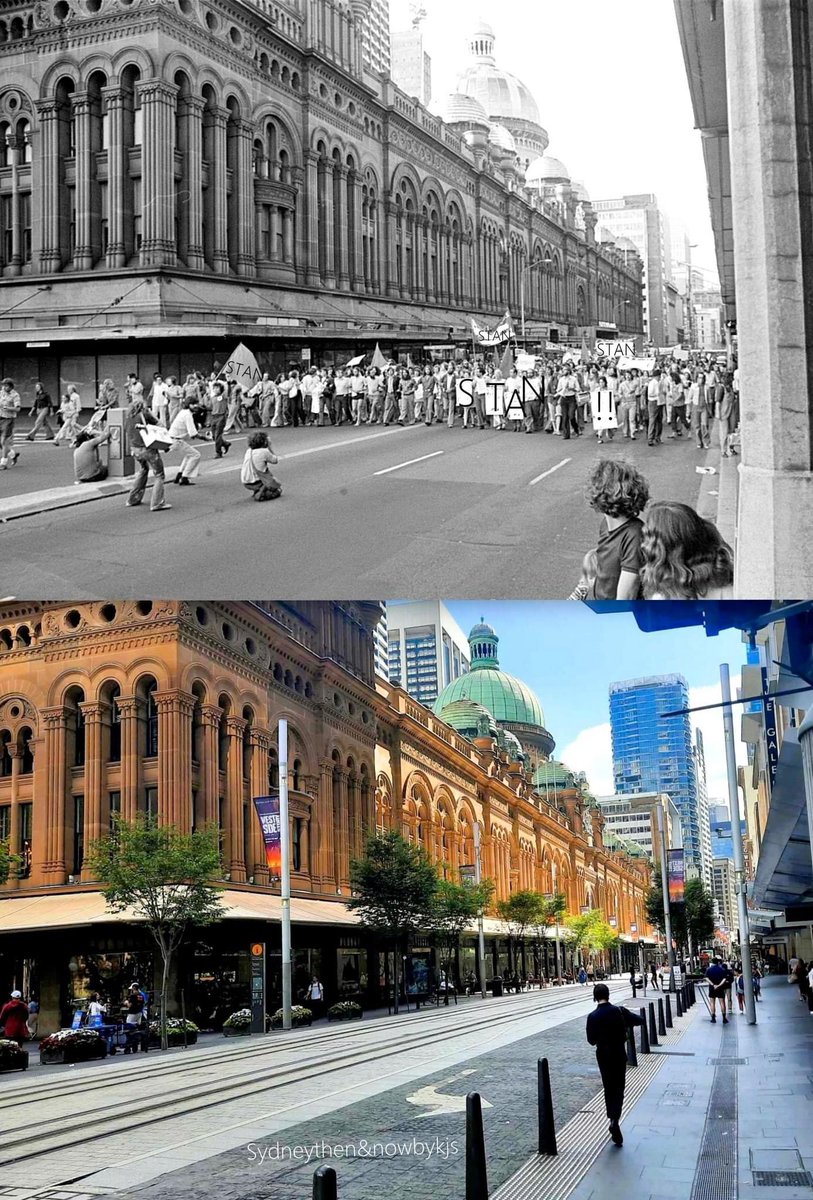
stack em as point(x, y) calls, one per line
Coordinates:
point(653, 753)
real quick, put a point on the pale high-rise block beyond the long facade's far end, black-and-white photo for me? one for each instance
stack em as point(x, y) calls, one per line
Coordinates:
point(640, 220)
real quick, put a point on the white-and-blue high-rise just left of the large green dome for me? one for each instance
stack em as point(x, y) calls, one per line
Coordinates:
point(427, 649)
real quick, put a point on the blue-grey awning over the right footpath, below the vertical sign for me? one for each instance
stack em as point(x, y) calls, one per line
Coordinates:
point(785, 875)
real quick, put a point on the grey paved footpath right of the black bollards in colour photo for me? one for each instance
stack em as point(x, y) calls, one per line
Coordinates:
point(726, 1118)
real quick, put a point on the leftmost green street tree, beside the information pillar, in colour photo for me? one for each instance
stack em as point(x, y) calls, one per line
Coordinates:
point(164, 878)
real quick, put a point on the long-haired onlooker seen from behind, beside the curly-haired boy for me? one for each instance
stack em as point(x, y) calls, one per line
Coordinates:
point(684, 556)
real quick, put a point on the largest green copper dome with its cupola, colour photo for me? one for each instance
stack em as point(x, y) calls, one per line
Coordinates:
point(505, 698)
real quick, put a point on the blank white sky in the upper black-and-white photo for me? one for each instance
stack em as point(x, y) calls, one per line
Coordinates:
point(611, 86)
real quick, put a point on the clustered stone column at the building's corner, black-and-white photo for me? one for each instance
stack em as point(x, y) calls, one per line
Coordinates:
point(158, 101)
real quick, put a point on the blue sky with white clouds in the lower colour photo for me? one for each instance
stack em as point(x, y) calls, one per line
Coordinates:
point(569, 656)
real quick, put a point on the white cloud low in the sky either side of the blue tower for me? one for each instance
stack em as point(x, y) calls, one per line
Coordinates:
point(592, 751)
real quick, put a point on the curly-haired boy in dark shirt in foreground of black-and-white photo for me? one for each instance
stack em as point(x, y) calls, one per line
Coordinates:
point(621, 494)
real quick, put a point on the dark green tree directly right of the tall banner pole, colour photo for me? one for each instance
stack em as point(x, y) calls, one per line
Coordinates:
point(395, 886)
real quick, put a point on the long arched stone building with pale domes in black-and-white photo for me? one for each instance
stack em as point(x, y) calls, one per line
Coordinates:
point(180, 175)
